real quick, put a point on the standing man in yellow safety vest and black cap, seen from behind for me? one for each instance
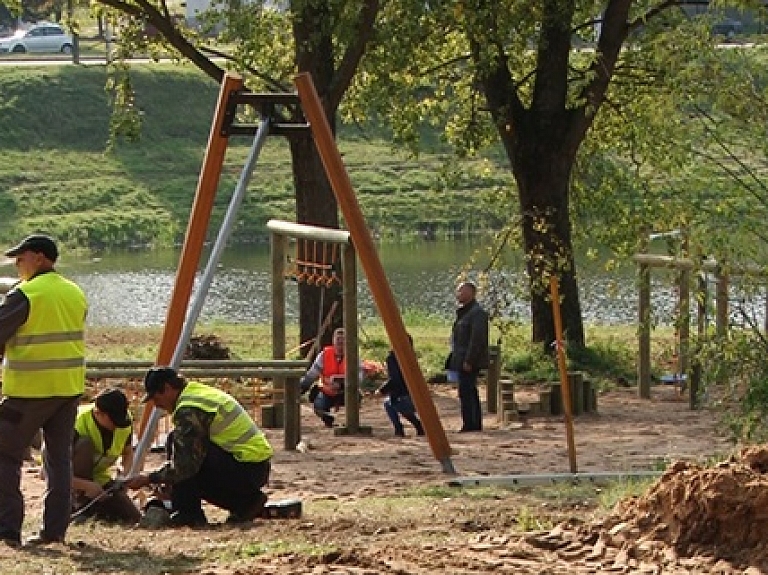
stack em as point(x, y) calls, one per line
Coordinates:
point(42, 325)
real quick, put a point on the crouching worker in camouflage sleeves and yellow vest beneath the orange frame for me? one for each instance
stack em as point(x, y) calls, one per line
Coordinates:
point(216, 452)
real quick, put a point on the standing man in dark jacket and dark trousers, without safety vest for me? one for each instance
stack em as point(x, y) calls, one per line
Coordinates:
point(469, 353)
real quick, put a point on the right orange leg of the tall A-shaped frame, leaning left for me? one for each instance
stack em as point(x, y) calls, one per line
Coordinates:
point(377, 279)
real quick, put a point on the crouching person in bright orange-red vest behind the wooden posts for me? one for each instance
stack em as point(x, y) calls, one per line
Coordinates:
point(329, 367)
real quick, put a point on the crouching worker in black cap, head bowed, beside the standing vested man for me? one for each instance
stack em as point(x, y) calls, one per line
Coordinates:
point(103, 435)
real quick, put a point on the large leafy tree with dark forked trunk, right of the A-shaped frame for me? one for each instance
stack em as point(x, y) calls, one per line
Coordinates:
point(537, 73)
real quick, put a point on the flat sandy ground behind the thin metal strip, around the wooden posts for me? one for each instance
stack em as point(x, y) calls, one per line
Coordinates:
point(626, 434)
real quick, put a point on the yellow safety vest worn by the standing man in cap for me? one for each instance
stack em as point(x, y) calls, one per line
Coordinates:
point(46, 356)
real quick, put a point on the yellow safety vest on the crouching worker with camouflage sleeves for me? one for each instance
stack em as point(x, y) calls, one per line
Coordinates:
point(232, 428)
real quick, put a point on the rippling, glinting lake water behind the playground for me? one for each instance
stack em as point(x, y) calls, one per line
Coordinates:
point(132, 288)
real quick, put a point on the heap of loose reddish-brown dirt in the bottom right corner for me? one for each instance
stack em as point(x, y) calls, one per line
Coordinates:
point(693, 516)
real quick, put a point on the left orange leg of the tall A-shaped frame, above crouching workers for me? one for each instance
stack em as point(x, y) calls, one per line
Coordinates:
point(197, 227)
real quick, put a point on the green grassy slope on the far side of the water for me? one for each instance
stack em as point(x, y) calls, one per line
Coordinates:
point(58, 176)
